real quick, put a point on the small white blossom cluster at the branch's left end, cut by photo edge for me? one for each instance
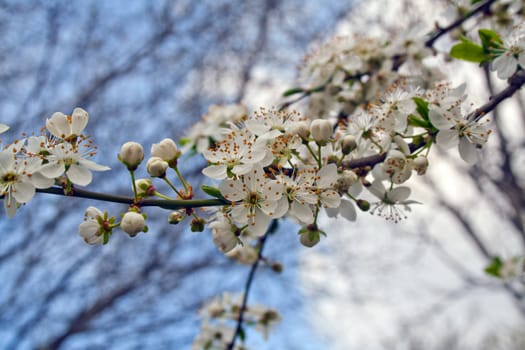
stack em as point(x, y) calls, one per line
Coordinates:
point(59, 156)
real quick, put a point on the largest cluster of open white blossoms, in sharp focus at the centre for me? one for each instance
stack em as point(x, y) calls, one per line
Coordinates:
point(279, 163)
